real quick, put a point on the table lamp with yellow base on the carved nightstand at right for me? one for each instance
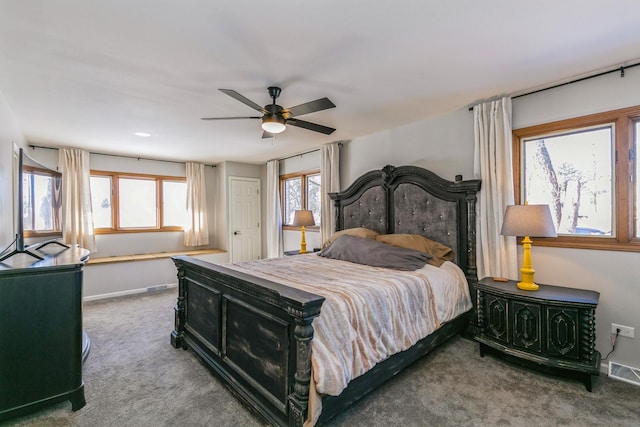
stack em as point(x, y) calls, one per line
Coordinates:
point(528, 221)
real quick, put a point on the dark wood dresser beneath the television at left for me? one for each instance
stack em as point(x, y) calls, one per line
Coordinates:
point(41, 338)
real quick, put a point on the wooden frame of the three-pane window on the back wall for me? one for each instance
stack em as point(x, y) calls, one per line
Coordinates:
point(115, 201)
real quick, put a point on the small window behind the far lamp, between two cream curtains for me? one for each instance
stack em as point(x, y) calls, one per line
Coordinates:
point(300, 191)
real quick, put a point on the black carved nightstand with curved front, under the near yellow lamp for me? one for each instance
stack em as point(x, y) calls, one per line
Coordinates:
point(552, 329)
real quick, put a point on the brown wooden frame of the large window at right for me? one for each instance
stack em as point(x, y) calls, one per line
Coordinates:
point(623, 122)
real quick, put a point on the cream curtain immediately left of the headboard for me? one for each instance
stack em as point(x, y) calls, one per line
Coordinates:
point(330, 183)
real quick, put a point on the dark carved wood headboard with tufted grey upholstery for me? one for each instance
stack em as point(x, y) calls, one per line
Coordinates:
point(413, 200)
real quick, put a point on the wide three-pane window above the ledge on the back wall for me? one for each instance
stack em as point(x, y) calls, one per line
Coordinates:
point(134, 202)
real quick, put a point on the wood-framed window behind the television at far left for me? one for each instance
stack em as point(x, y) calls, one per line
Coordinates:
point(41, 199)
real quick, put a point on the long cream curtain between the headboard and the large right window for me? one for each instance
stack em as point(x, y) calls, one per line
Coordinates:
point(496, 254)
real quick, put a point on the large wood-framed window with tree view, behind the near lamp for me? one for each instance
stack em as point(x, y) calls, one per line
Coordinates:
point(585, 169)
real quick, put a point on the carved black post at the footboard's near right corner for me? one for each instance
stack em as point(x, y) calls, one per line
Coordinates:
point(299, 400)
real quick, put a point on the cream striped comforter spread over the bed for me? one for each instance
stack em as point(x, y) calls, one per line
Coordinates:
point(369, 313)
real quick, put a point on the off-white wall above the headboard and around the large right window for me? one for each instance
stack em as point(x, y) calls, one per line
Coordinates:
point(445, 145)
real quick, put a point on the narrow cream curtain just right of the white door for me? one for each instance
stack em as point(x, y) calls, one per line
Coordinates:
point(274, 214)
